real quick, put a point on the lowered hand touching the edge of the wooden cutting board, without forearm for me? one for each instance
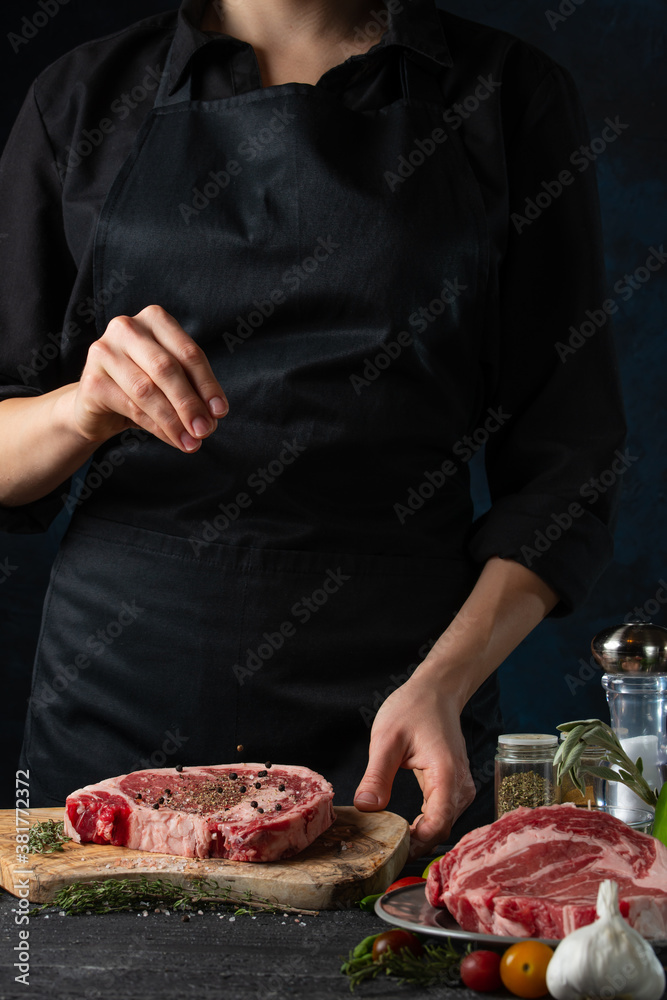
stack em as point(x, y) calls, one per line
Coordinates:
point(418, 727)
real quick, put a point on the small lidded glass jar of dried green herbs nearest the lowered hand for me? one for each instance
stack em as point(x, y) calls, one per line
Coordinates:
point(525, 771)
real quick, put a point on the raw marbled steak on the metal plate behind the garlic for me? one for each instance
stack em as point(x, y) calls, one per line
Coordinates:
point(536, 872)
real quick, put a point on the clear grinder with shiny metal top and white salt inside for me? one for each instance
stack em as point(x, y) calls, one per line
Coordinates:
point(634, 658)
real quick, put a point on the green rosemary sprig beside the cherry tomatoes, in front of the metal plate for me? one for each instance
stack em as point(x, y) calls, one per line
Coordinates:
point(438, 966)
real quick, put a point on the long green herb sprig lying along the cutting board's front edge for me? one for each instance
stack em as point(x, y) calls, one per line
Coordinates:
point(116, 895)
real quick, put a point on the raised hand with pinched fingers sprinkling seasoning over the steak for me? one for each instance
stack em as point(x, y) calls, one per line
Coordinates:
point(146, 371)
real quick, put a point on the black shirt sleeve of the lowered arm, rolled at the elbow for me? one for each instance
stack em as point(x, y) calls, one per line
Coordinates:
point(556, 461)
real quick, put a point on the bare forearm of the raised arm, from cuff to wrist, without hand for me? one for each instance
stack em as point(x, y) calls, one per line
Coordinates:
point(40, 445)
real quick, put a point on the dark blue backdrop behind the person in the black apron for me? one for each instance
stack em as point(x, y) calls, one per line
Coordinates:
point(616, 52)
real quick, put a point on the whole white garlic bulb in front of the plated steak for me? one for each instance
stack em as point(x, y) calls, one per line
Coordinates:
point(605, 959)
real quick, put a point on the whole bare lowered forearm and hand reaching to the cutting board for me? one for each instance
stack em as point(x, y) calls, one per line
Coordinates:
point(418, 726)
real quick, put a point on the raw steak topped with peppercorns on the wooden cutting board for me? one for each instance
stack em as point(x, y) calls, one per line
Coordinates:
point(244, 812)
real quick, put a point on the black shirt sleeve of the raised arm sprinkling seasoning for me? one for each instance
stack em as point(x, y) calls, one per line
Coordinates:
point(36, 276)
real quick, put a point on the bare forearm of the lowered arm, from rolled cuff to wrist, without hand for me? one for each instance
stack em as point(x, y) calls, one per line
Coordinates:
point(506, 603)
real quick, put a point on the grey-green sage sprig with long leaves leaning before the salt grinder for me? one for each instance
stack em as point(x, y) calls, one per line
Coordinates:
point(593, 733)
